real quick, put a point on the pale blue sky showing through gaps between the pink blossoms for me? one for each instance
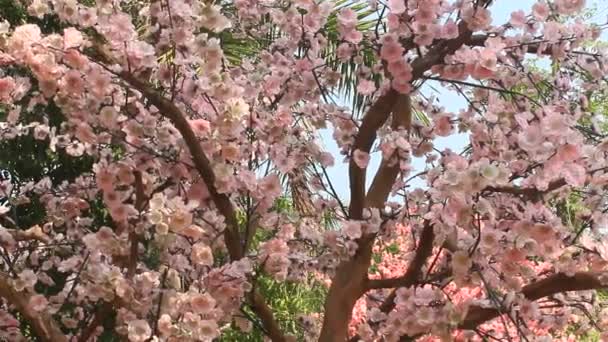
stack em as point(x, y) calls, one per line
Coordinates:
point(451, 101)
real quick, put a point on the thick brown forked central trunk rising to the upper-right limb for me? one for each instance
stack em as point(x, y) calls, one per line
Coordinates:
point(345, 290)
